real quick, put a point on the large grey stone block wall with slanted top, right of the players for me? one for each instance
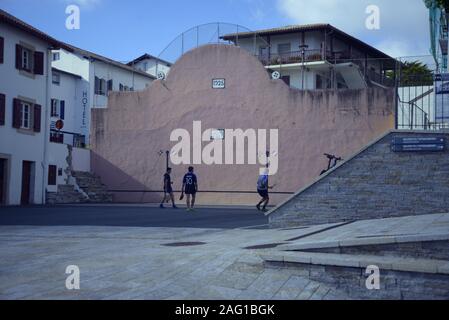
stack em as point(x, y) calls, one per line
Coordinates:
point(376, 183)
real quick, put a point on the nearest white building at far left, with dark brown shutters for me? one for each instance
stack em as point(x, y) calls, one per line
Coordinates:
point(25, 69)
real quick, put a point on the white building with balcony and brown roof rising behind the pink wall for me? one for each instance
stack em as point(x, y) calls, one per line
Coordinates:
point(317, 56)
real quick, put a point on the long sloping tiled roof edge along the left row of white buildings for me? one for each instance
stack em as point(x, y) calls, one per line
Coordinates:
point(7, 18)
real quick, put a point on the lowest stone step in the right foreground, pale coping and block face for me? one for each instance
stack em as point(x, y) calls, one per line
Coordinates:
point(399, 278)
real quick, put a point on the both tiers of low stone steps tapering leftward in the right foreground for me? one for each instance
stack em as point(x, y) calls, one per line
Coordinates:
point(411, 254)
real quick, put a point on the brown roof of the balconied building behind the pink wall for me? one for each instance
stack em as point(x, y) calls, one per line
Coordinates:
point(309, 27)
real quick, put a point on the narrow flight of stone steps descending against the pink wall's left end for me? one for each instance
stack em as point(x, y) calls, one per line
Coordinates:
point(91, 185)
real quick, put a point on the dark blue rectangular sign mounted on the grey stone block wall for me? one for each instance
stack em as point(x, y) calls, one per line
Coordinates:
point(418, 144)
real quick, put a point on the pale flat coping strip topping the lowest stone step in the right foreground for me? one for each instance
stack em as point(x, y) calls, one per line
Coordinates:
point(361, 261)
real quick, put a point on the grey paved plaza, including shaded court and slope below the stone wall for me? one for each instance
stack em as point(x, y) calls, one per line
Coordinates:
point(177, 255)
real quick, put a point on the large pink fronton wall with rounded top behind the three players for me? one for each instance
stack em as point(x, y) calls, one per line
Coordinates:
point(128, 135)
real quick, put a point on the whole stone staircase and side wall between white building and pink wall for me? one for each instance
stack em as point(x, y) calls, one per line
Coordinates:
point(88, 188)
